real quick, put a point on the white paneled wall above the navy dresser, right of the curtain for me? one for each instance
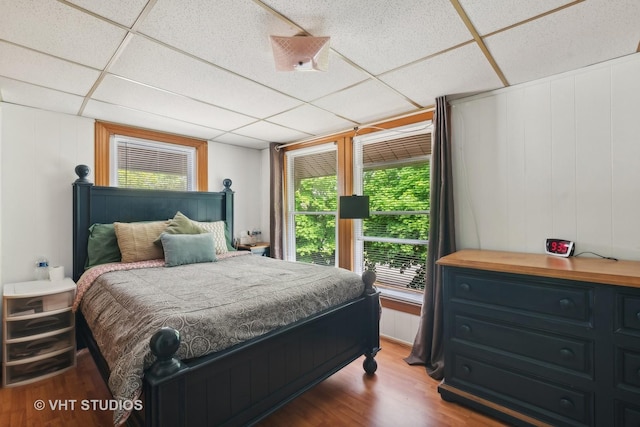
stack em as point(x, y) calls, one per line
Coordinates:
point(558, 157)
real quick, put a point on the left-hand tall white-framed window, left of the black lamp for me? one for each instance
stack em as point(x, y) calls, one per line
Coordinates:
point(312, 200)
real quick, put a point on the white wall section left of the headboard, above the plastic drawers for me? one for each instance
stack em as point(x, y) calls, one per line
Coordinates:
point(40, 150)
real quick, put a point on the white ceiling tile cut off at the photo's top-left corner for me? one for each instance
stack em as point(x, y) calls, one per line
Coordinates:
point(59, 30)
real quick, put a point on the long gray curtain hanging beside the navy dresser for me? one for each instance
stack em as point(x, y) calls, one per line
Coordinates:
point(428, 346)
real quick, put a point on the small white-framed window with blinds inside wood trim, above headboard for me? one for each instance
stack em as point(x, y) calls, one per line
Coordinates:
point(138, 163)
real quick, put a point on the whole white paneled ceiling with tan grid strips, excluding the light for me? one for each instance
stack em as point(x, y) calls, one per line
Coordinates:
point(204, 68)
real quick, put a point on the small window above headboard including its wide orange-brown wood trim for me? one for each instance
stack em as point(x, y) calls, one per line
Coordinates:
point(145, 151)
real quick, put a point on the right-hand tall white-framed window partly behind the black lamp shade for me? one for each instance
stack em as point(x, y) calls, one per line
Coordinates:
point(392, 168)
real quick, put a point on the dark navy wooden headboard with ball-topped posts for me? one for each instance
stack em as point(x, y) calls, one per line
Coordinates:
point(105, 205)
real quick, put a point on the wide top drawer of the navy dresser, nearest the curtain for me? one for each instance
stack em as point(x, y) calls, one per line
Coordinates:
point(515, 293)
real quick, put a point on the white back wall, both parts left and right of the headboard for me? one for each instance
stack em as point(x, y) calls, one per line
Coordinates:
point(40, 150)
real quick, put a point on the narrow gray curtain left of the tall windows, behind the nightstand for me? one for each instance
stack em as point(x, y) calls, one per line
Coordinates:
point(275, 216)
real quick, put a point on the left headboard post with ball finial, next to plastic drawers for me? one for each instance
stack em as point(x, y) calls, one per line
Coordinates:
point(81, 210)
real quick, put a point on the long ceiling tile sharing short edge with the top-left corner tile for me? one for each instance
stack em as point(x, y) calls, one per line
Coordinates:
point(146, 61)
